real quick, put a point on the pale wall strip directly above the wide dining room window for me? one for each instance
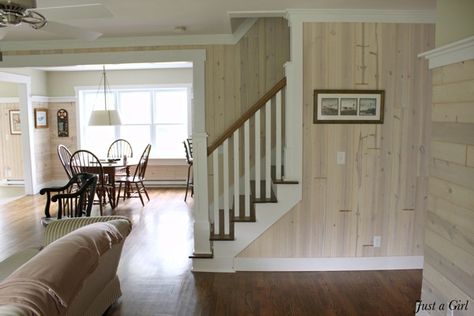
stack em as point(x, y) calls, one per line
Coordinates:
point(62, 83)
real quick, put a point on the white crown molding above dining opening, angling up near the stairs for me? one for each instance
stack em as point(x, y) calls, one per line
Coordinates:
point(143, 41)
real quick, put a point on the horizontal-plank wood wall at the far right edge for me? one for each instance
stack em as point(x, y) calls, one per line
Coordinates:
point(449, 241)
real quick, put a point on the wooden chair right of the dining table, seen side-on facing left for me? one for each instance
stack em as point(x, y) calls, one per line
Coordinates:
point(135, 183)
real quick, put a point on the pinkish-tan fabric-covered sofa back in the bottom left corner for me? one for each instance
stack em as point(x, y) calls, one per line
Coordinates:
point(47, 283)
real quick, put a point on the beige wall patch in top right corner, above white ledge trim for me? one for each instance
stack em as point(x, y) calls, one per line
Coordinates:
point(455, 20)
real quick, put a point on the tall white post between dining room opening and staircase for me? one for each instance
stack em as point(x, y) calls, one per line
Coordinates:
point(202, 244)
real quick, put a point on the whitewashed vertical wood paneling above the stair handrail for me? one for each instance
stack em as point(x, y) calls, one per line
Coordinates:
point(238, 75)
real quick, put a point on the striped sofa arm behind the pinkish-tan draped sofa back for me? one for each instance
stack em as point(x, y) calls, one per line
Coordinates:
point(61, 227)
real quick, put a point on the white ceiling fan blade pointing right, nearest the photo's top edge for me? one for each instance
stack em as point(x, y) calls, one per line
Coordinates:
point(74, 12)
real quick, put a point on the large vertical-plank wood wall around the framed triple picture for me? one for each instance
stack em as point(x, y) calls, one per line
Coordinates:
point(382, 188)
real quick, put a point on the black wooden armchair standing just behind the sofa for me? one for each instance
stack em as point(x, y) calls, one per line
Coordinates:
point(73, 199)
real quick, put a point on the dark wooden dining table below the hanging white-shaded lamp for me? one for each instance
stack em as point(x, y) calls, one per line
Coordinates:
point(110, 168)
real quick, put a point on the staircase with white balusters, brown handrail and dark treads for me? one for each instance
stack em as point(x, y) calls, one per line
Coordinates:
point(249, 192)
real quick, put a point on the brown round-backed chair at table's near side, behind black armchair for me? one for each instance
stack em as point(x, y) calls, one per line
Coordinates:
point(84, 161)
